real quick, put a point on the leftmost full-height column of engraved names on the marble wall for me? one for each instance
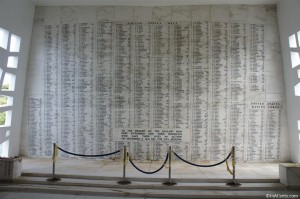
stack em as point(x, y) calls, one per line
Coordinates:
point(51, 87)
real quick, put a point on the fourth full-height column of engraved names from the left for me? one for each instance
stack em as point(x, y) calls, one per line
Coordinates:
point(103, 86)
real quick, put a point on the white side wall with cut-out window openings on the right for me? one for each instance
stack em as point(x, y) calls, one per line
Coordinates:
point(289, 23)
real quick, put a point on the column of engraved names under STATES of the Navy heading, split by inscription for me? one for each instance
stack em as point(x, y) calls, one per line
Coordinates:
point(161, 83)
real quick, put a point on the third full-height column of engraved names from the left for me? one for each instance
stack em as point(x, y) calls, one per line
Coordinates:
point(85, 88)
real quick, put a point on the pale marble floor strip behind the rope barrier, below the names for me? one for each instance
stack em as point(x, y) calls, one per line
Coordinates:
point(114, 168)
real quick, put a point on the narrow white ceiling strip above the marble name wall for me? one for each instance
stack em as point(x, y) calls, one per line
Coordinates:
point(146, 2)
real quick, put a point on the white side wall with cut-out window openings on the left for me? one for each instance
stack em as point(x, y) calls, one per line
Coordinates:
point(16, 16)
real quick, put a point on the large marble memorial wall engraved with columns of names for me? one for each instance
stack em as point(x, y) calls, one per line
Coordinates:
point(199, 78)
